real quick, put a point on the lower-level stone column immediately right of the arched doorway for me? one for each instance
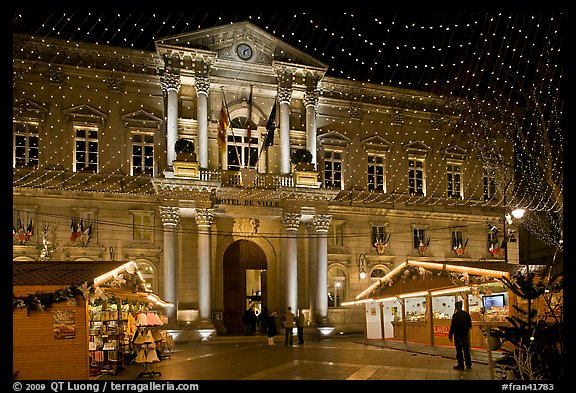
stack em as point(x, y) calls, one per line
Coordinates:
point(291, 223)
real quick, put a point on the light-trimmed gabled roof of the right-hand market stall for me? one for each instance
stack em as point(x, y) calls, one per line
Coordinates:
point(425, 276)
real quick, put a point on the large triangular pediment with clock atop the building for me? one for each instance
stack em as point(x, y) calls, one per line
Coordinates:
point(222, 42)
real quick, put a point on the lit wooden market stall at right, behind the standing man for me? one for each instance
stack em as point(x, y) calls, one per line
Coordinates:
point(415, 301)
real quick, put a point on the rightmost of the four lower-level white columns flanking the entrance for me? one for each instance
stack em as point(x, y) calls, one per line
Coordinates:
point(321, 223)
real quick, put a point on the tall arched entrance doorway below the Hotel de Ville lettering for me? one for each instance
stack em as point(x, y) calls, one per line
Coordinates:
point(244, 271)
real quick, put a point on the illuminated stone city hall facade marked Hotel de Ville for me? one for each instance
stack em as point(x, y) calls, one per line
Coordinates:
point(98, 174)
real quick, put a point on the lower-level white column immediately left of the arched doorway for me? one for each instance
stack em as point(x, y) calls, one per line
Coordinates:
point(204, 219)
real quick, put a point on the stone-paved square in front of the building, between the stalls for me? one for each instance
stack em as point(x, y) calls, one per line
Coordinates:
point(335, 358)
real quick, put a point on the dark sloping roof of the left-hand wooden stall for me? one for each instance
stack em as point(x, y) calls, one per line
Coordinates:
point(60, 272)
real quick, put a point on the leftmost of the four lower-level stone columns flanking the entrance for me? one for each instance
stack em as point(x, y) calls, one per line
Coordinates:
point(170, 216)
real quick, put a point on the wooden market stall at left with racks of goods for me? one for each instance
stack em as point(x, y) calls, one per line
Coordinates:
point(70, 318)
